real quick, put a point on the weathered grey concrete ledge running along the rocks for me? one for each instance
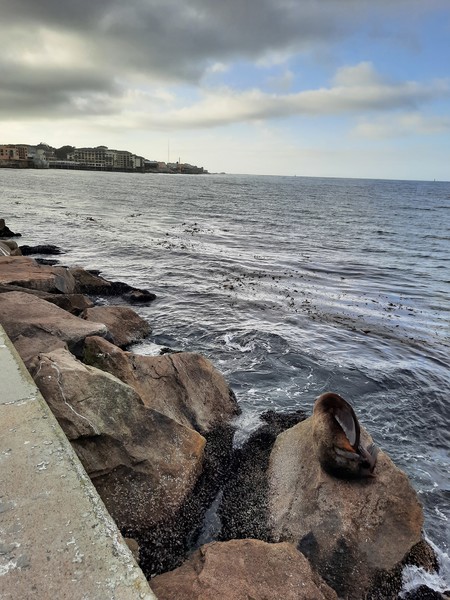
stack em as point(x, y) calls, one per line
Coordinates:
point(57, 539)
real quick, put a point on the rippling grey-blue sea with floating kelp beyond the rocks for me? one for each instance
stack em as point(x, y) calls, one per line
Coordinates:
point(291, 286)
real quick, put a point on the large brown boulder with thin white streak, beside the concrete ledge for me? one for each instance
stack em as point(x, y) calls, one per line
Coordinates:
point(143, 464)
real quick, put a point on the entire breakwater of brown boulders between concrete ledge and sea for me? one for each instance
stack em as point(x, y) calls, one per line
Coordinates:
point(309, 508)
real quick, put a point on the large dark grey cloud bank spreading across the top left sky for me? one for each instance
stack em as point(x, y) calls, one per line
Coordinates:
point(93, 47)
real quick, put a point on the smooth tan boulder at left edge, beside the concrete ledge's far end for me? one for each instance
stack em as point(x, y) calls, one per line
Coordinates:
point(35, 325)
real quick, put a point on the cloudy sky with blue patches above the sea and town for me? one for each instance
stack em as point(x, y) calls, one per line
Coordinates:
point(347, 88)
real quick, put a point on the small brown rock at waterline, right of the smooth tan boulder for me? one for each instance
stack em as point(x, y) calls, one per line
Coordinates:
point(123, 323)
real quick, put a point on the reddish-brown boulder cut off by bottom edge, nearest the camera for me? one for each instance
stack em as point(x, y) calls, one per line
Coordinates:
point(243, 570)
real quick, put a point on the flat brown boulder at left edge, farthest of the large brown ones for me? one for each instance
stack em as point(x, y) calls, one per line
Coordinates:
point(26, 272)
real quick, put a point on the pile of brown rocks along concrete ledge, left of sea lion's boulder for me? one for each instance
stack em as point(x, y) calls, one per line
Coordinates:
point(148, 430)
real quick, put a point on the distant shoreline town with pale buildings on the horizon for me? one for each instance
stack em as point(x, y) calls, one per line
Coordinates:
point(100, 158)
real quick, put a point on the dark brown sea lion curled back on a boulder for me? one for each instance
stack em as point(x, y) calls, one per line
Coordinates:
point(337, 437)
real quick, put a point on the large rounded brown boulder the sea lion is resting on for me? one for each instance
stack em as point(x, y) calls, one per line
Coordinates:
point(350, 530)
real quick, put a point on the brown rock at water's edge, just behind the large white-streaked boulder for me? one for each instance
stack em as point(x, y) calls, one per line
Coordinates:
point(184, 386)
